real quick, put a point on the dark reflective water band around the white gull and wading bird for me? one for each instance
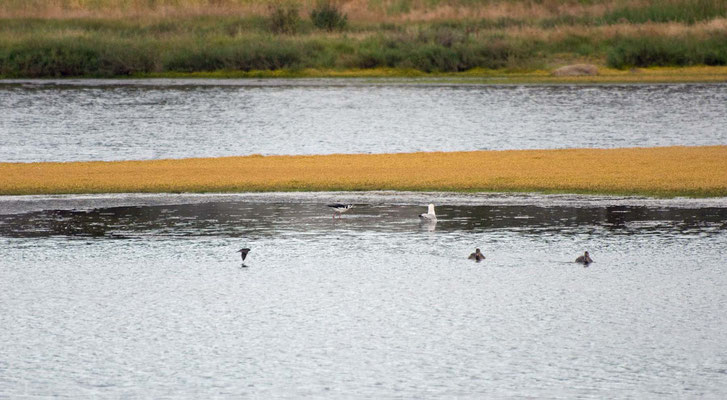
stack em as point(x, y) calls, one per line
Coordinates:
point(231, 218)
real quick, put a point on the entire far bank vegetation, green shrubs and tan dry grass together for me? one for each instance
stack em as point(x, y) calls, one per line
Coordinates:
point(103, 38)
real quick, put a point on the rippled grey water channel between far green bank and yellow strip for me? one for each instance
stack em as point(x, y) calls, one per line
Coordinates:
point(115, 120)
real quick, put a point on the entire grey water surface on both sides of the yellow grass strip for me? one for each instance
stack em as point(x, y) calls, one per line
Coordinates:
point(143, 296)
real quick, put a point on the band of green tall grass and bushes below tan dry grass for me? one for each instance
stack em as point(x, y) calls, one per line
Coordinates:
point(434, 50)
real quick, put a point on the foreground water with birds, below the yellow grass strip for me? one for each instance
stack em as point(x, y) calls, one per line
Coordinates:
point(144, 296)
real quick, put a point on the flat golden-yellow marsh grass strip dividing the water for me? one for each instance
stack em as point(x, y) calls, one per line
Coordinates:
point(665, 171)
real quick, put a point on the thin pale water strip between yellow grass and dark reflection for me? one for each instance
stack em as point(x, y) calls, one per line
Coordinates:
point(33, 203)
